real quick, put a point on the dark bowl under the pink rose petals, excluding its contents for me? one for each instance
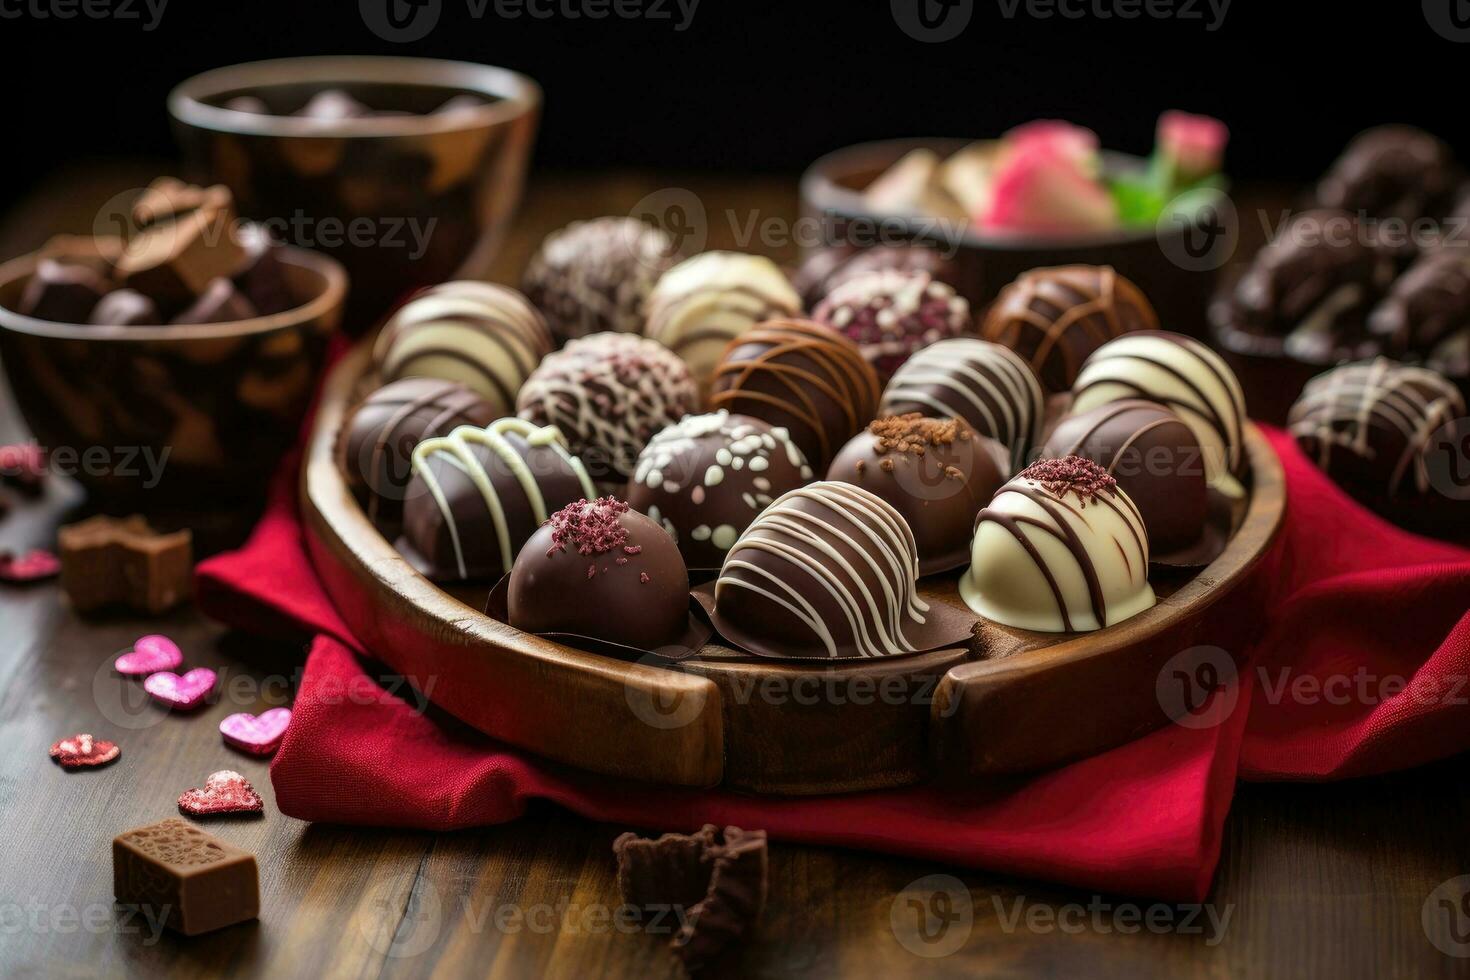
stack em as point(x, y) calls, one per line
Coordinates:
point(1174, 265)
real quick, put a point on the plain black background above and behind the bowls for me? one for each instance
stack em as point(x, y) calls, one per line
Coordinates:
point(768, 86)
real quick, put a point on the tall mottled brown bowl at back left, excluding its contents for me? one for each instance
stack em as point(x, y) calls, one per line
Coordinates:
point(429, 195)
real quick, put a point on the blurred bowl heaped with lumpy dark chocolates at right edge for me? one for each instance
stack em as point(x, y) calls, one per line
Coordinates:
point(1377, 265)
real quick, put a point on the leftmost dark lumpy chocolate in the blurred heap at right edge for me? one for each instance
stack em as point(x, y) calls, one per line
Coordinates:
point(1312, 284)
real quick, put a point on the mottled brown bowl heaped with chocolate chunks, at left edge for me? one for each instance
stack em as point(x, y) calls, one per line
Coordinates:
point(176, 359)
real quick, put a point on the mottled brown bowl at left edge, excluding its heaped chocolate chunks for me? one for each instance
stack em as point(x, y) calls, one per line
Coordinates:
point(152, 418)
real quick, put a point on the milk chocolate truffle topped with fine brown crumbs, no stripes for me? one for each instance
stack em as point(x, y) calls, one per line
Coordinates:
point(936, 472)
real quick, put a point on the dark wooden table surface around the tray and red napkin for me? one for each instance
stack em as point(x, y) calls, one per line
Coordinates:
point(1316, 881)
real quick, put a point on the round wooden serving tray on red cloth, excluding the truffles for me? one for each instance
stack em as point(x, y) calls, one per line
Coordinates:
point(1012, 703)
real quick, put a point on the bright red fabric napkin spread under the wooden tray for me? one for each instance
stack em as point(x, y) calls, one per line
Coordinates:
point(1341, 590)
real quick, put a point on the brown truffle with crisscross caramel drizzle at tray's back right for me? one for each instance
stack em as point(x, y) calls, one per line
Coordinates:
point(1056, 318)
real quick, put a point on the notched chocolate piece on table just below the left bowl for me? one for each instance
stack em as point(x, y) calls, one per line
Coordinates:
point(123, 562)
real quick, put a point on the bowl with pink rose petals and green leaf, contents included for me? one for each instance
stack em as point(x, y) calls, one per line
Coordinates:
point(1043, 195)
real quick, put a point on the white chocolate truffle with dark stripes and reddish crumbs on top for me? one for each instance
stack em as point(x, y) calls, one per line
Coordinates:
point(1059, 550)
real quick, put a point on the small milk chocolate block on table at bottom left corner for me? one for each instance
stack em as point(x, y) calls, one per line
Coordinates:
point(193, 881)
